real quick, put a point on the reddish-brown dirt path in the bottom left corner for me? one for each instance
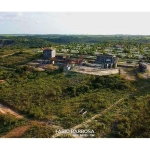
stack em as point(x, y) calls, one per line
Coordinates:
point(17, 132)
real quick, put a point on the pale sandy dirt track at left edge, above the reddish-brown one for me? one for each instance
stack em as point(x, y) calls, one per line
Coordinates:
point(5, 110)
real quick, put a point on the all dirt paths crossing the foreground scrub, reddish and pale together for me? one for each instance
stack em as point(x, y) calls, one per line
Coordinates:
point(20, 130)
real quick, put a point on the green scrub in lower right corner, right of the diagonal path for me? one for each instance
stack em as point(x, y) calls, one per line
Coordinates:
point(129, 119)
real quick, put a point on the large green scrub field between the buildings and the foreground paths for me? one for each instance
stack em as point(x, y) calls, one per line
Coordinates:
point(44, 95)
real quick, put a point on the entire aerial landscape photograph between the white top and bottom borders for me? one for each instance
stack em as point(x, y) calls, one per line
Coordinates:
point(74, 75)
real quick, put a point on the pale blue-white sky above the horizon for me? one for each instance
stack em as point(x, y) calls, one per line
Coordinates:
point(74, 23)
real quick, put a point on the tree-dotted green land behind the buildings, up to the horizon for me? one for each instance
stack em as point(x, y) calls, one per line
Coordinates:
point(80, 44)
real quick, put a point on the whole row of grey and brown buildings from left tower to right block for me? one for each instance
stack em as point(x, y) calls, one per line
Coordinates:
point(104, 61)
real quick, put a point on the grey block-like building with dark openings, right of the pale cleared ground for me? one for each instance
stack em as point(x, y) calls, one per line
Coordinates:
point(107, 61)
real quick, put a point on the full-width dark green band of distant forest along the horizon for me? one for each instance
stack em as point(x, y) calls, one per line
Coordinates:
point(36, 41)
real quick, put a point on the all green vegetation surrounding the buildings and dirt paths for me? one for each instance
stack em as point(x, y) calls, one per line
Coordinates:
point(58, 97)
